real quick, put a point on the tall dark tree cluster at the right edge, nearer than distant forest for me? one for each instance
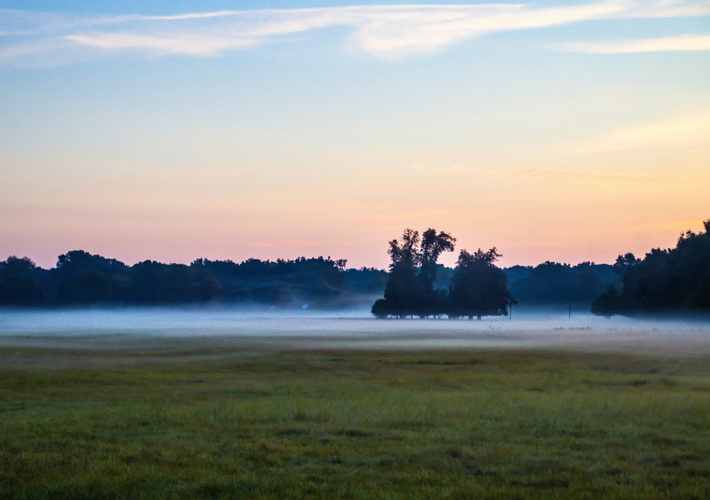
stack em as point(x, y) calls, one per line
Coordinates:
point(672, 280)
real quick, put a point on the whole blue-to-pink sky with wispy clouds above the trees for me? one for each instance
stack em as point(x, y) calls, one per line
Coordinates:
point(568, 131)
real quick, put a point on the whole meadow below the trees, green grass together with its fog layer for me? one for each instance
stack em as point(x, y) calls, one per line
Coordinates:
point(266, 404)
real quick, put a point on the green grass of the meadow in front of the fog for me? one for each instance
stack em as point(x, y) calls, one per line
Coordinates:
point(184, 422)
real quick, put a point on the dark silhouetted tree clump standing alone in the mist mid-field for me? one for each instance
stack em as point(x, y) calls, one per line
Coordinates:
point(477, 287)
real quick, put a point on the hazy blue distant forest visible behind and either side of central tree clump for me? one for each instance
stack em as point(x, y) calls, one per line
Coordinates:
point(83, 279)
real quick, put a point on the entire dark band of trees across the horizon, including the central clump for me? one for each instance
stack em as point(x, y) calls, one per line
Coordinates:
point(675, 280)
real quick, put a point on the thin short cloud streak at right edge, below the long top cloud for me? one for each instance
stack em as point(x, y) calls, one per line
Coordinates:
point(665, 44)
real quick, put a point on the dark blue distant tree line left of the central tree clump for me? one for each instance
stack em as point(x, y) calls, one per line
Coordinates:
point(81, 279)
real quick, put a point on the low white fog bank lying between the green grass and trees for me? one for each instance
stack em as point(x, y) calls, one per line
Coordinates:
point(350, 329)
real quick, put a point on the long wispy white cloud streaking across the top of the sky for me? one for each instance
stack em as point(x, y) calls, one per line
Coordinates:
point(387, 31)
